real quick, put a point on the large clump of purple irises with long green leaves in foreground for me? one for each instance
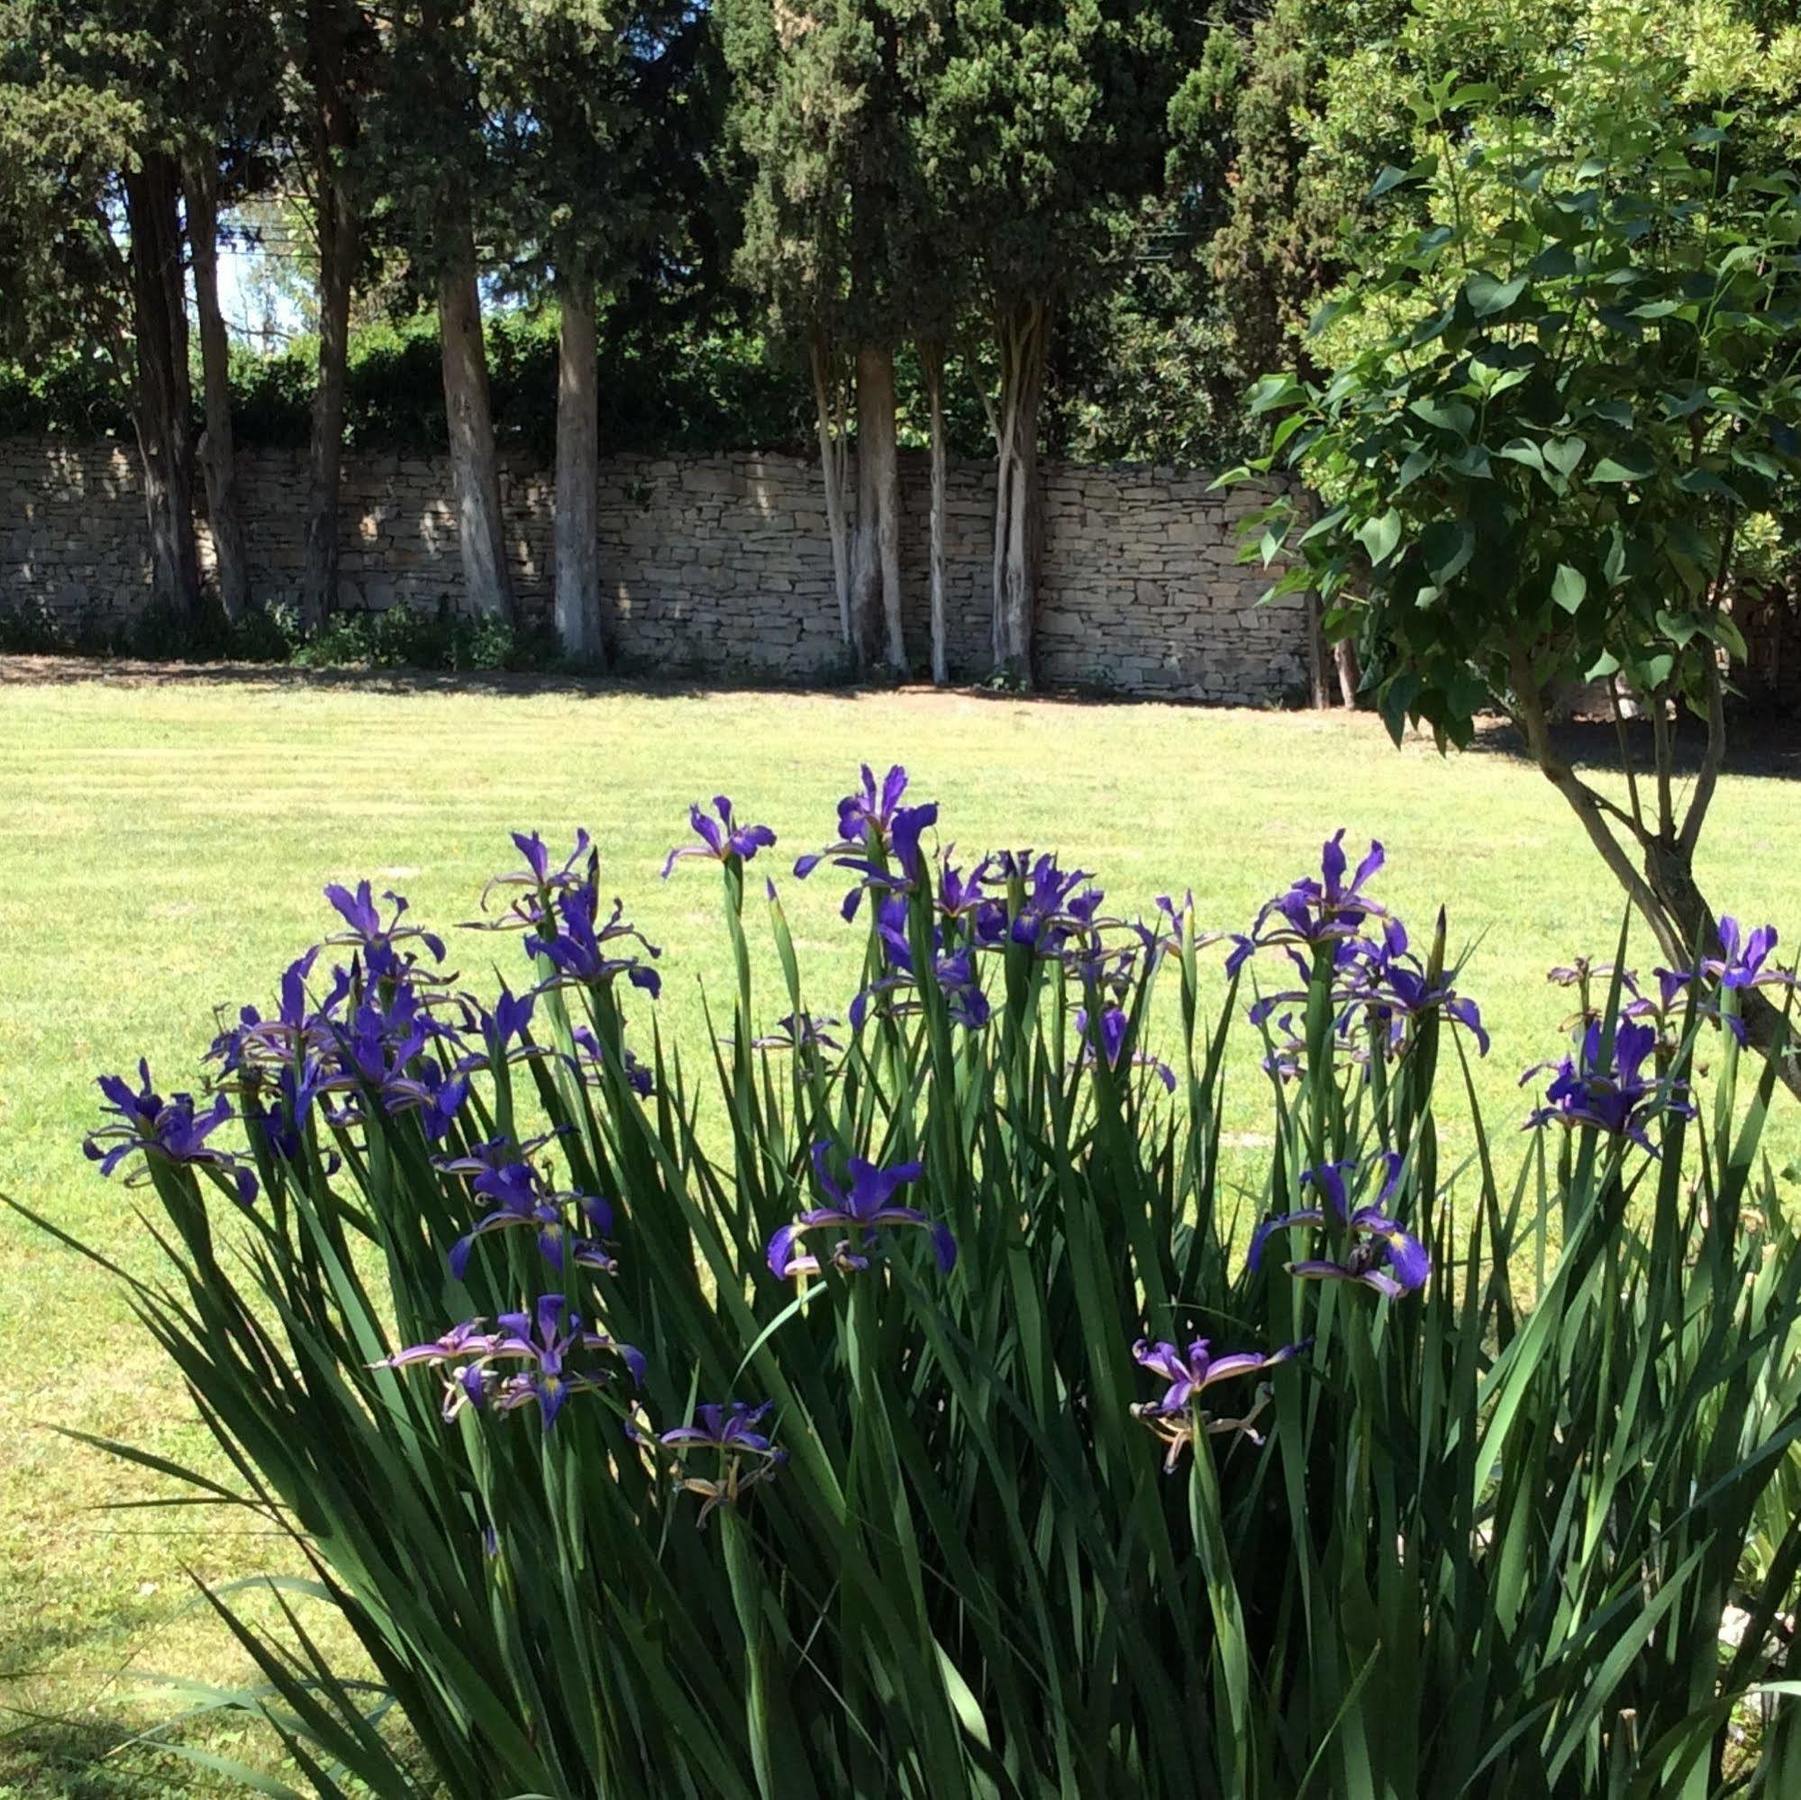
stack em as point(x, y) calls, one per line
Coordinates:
point(898, 1408)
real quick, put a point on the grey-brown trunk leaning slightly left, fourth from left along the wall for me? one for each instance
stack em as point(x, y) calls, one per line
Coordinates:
point(475, 469)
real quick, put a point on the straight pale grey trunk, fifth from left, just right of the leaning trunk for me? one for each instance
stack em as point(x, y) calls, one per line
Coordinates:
point(575, 550)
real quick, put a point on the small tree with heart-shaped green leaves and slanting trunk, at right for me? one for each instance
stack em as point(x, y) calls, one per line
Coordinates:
point(1553, 408)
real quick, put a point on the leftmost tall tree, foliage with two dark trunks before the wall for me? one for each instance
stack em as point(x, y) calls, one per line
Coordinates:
point(107, 114)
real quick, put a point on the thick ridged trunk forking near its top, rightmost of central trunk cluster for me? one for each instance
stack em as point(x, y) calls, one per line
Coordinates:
point(1024, 334)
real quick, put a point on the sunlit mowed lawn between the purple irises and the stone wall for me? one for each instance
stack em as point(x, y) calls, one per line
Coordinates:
point(165, 844)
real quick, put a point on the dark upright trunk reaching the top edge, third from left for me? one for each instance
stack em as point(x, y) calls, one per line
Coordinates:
point(334, 136)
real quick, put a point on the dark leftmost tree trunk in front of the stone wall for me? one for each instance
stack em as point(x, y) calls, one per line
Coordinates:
point(161, 383)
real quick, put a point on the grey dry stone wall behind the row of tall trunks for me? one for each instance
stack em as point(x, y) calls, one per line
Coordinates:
point(716, 565)
